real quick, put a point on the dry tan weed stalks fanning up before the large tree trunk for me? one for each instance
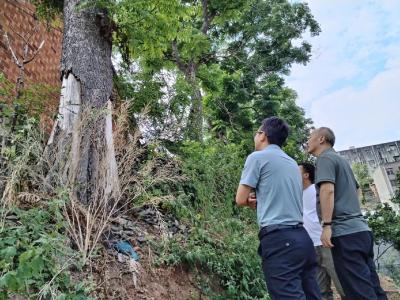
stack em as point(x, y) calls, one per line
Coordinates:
point(87, 223)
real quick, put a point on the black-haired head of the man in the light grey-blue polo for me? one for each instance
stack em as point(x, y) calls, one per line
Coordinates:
point(273, 130)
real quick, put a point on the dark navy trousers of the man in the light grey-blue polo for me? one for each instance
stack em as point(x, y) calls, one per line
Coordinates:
point(289, 264)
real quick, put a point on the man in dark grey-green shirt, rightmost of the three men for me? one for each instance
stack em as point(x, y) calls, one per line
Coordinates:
point(344, 227)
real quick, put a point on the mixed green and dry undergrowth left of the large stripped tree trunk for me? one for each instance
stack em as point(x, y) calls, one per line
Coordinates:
point(36, 255)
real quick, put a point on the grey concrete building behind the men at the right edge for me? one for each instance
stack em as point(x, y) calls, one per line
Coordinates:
point(383, 161)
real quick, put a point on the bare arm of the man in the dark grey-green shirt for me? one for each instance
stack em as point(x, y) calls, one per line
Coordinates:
point(326, 198)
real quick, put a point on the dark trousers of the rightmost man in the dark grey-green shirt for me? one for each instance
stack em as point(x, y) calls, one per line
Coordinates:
point(353, 256)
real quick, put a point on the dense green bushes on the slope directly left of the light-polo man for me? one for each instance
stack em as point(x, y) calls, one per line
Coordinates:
point(223, 238)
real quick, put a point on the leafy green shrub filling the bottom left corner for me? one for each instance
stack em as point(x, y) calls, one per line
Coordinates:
point(35, 256)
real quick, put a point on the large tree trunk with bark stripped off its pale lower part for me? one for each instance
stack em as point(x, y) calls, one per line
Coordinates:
point(81, 145)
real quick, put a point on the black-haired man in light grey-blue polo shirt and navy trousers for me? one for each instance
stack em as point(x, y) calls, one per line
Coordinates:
point(288, 255)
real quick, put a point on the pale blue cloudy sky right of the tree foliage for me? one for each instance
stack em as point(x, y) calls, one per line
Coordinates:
point(352, 83)
